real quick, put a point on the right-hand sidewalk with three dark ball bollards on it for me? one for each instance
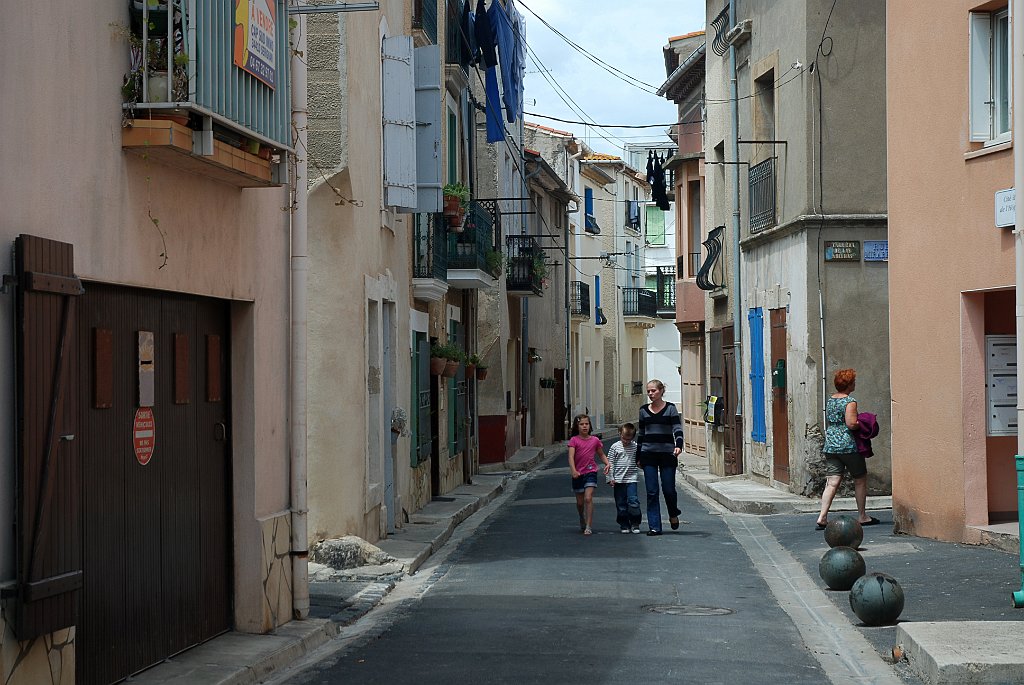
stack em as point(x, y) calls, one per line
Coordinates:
point(958, 626)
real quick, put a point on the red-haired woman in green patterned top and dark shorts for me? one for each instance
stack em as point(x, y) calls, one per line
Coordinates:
point(841, 450)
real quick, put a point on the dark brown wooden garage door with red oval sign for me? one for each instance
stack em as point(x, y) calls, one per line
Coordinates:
point(157, 567)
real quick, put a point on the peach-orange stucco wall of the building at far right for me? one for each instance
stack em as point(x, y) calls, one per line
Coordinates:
point(944, 244)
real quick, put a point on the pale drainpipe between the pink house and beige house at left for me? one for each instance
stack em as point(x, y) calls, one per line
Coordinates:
point(300, 274)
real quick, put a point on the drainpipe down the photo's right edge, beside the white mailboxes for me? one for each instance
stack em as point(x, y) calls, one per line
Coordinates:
point(1018, 126)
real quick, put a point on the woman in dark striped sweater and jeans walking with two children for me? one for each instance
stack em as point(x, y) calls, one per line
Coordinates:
point(660, 440)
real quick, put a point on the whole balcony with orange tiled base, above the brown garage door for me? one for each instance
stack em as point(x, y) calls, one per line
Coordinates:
point(189, 105)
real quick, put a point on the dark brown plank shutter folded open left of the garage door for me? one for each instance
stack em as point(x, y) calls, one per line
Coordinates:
point(49, 462)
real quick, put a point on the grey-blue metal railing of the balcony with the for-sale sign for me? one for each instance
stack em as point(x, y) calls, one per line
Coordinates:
point(200, 74)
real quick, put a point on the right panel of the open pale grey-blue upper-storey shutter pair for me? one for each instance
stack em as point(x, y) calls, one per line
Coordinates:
point(429, 129)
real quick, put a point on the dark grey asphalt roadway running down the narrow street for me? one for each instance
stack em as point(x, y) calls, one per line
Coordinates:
point(529, 600)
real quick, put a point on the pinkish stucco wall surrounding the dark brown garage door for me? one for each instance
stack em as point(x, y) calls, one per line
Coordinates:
point(74, 184)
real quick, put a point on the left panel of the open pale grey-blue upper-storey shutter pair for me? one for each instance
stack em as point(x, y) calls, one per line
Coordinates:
point(400, 123)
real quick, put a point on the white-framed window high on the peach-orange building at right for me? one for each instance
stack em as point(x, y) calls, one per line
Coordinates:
point(991, 76)
